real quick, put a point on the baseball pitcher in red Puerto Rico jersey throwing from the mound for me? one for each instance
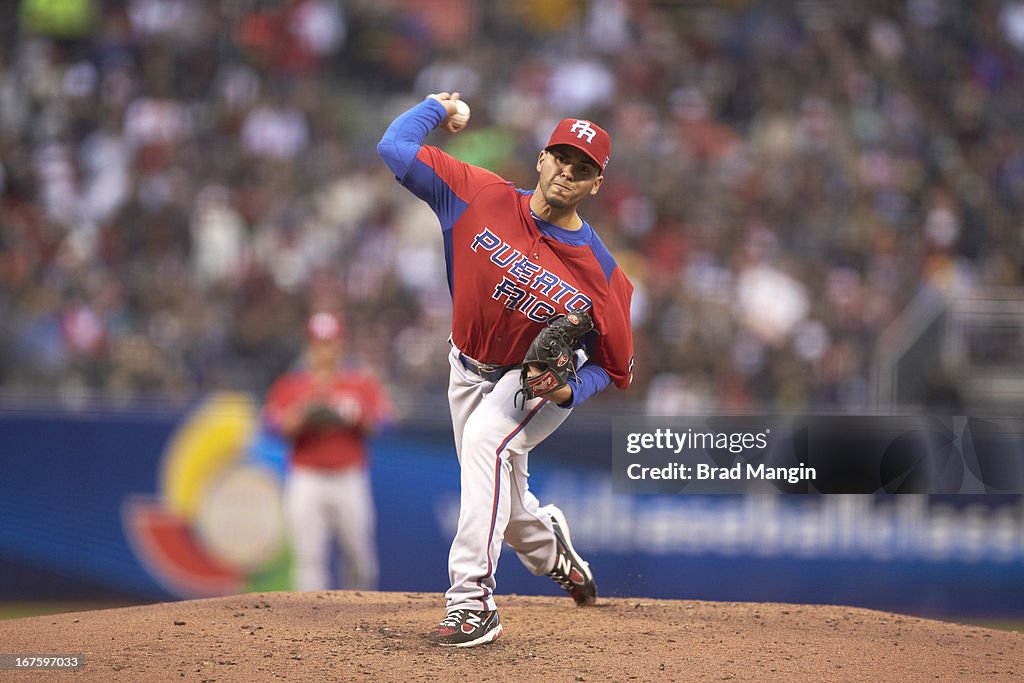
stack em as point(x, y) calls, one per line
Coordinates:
point(541, 323)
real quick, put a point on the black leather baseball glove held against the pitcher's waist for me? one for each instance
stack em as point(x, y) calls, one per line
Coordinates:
point(551, 353)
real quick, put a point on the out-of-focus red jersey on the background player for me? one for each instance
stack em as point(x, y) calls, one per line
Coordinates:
point(350, 394)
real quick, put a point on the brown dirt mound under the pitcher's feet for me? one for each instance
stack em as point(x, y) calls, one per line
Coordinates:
point(347, 636)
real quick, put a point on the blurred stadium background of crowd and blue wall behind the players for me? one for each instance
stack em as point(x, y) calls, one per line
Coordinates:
point(819, 204)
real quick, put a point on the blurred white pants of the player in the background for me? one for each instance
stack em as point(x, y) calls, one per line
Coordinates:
point(325, 504)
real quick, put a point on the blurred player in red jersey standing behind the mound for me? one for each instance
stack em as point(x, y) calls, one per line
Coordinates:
point(326, 412)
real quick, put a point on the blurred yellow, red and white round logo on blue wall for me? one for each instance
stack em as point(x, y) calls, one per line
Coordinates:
point(216, 526)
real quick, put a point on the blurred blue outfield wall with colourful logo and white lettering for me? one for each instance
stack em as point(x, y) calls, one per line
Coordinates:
point(185, 503)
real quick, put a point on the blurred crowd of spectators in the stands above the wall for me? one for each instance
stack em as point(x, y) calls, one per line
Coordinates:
point(182, 182)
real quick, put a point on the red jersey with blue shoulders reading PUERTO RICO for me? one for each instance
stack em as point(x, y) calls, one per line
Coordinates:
point(509, 272)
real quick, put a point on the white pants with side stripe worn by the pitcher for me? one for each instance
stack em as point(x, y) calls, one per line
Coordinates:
point(493, 440)
